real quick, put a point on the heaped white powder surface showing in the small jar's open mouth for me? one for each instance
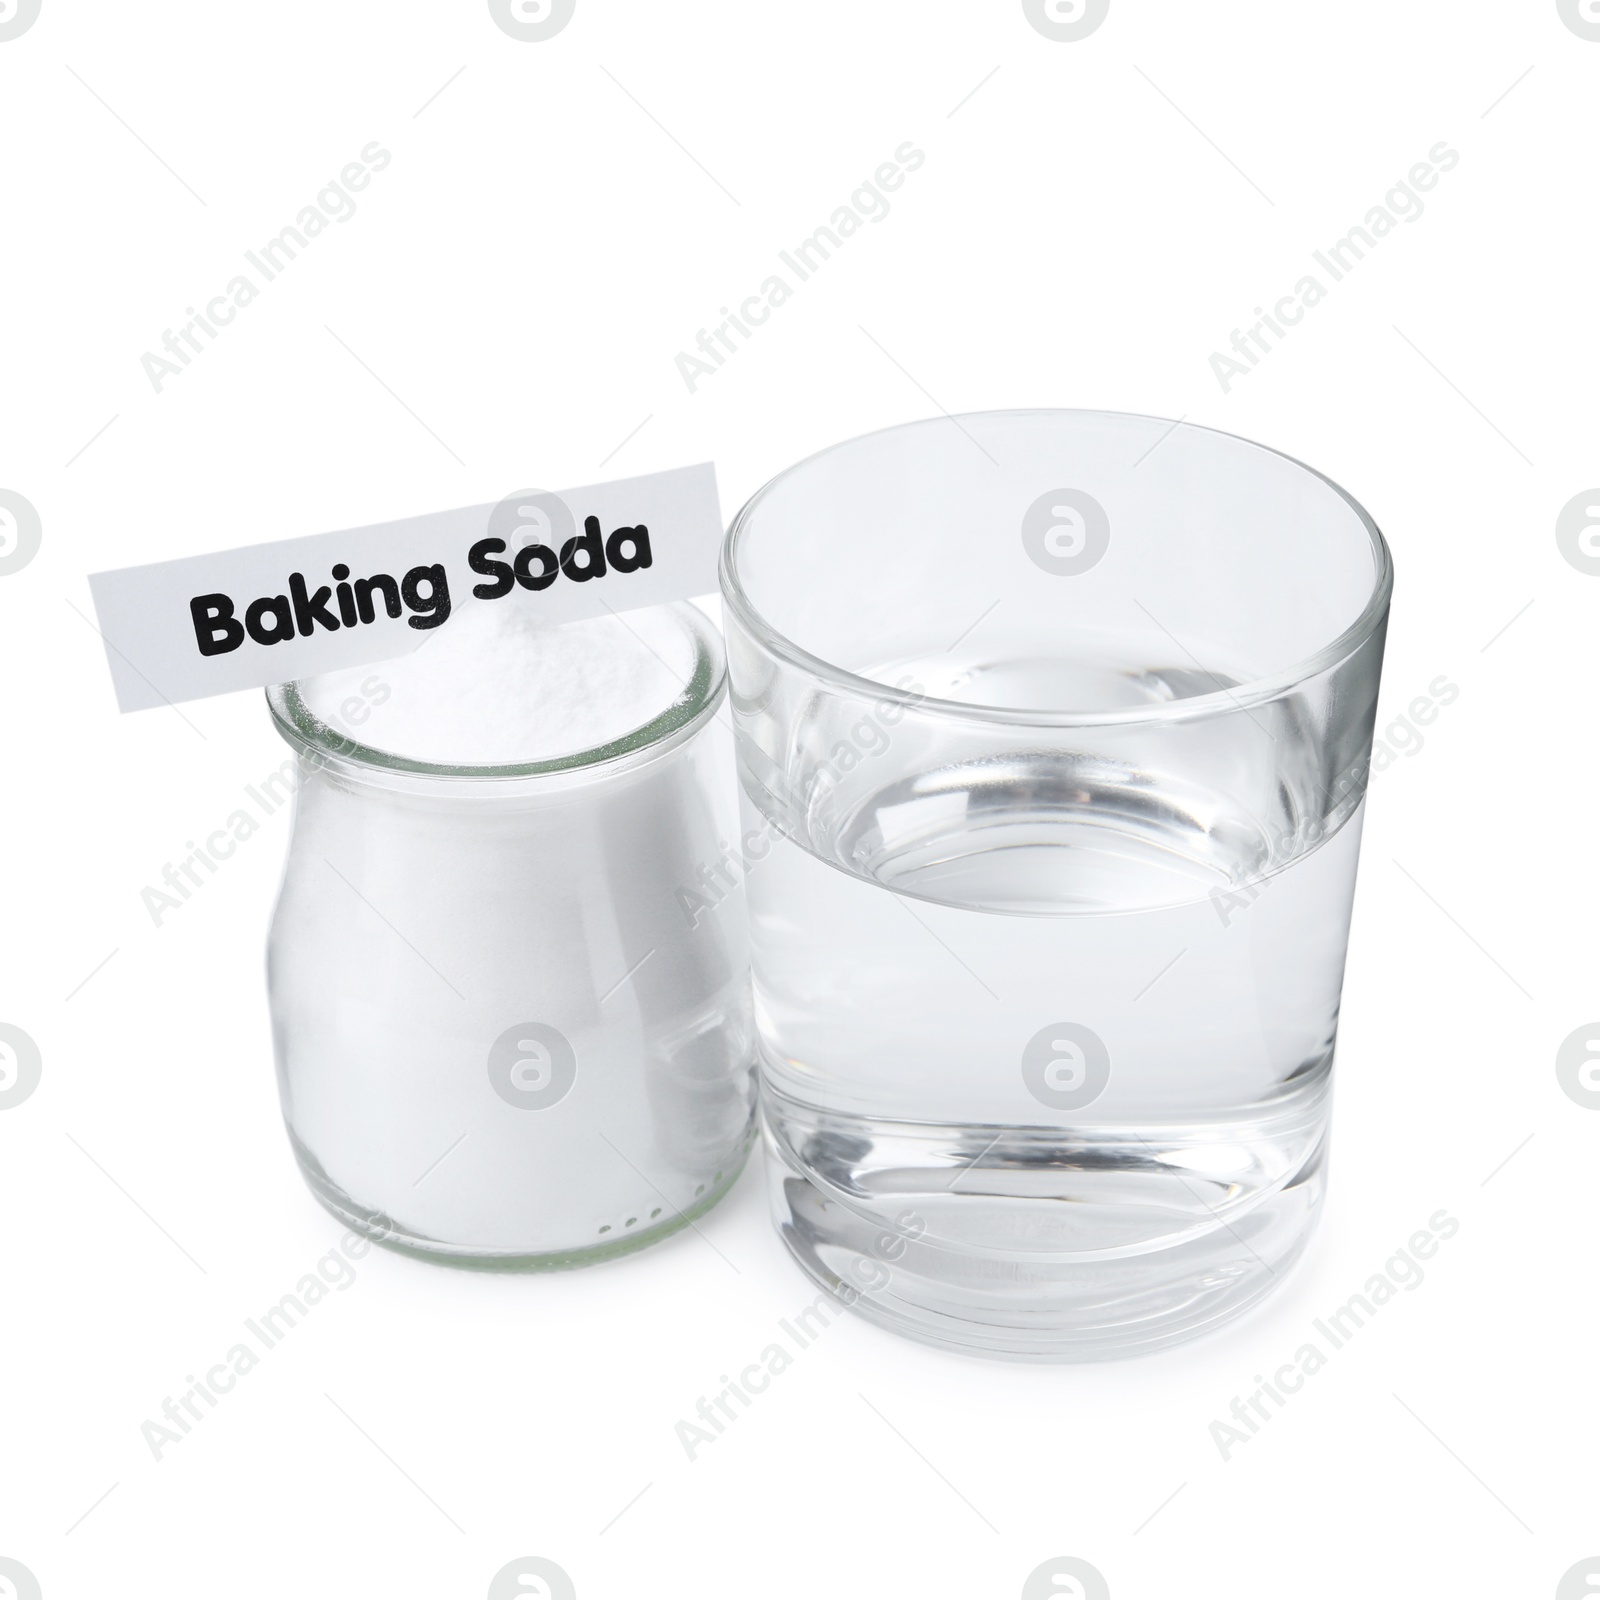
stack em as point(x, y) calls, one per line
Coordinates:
point(498, 687)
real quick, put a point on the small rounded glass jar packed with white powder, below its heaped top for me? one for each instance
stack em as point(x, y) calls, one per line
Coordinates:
point(510, 1002)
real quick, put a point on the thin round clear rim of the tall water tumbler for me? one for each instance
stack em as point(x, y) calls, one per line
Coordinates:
point(1217, 703)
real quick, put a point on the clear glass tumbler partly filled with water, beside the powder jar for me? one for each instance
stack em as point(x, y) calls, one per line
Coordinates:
point(1054, 734)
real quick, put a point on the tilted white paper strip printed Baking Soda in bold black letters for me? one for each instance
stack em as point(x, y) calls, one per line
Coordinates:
point(268, 614)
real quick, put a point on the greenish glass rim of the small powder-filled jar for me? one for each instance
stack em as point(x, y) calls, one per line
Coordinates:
point(694, 706)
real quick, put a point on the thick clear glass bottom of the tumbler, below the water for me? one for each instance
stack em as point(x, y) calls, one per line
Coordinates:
point(1025, 1246)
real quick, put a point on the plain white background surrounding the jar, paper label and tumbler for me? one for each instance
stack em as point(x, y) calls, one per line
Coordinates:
point(558, 223)
